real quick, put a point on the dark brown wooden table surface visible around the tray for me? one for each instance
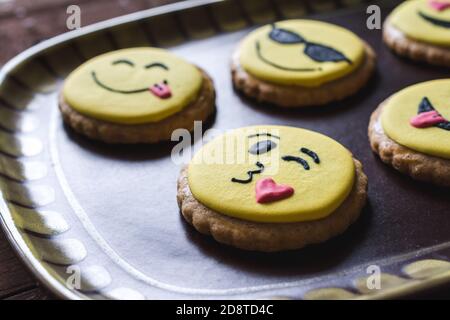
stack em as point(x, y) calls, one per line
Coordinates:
point(24, 23)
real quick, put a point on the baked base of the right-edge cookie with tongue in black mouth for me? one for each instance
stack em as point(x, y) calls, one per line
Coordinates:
point(418, 165)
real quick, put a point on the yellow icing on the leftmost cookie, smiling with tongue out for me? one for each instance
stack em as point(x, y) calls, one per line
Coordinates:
point(132, 86)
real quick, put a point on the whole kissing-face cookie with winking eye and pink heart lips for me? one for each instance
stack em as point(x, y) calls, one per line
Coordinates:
point(272, 188)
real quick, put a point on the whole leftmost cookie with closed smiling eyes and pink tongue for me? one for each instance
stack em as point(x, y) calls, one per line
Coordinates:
point(137, 95)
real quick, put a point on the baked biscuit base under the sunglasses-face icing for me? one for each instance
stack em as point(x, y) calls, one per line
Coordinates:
point(291, 96)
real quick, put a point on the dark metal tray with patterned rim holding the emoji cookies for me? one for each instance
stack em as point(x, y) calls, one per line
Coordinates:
point(71, 206)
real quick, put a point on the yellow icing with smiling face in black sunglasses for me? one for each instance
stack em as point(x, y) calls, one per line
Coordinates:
point(301, 52)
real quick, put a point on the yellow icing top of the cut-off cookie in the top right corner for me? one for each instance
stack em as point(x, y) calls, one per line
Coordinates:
point(424, 20)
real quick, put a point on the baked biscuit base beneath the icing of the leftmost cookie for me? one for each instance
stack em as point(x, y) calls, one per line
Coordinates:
point(198, 110)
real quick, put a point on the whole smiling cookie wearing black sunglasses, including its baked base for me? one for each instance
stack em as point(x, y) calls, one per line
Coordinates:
point(298, 63)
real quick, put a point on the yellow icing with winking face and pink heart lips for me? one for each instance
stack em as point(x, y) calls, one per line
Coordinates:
point(272, 174)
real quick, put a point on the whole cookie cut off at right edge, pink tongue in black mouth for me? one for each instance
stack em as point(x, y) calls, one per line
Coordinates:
point(411, 131)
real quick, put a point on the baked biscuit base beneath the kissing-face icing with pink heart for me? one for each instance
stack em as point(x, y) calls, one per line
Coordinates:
point(271, 237)
